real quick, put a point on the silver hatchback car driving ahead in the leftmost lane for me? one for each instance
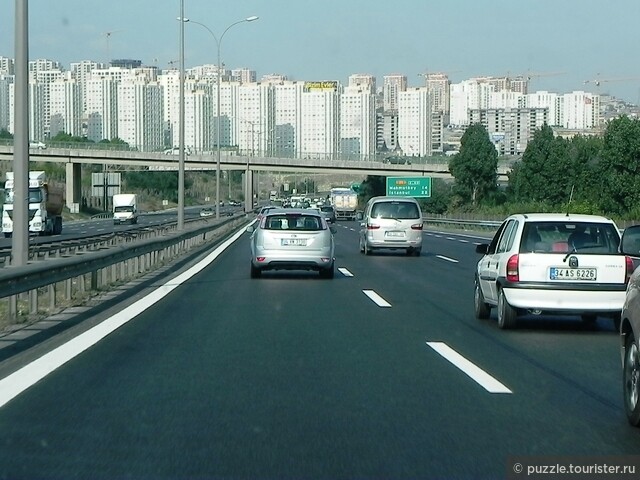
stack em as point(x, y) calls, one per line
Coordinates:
point(292, 239)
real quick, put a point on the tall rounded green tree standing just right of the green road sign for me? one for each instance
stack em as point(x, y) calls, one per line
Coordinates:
point(474, 167)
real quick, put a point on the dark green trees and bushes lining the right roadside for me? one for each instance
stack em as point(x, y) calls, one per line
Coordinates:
point(585, 174)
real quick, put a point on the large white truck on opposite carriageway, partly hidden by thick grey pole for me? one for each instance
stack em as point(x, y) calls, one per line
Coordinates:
point(46, 202)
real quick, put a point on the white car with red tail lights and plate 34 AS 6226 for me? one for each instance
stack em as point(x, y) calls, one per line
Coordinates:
point(558, 264)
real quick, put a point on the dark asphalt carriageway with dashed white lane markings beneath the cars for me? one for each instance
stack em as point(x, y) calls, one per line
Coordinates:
point(381, 372)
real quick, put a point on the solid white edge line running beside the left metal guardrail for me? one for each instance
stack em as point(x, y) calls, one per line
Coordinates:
point(30, 374)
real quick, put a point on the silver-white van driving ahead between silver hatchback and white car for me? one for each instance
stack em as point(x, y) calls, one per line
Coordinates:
point(391, 223)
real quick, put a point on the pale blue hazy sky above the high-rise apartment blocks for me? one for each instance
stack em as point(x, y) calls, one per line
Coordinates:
point(568, 41)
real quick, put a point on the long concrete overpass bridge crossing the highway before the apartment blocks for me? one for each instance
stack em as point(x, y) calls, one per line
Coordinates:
point(74, 157)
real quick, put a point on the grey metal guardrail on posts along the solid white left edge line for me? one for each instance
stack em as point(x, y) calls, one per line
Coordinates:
point(39, 288)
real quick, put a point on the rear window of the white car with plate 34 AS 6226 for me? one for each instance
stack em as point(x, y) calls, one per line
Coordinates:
point(565, 237)
